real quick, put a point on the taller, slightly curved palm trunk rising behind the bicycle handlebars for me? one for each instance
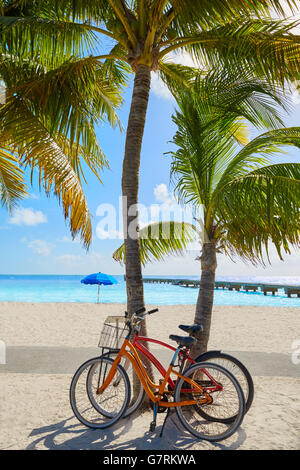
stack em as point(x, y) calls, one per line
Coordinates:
point(130, 187)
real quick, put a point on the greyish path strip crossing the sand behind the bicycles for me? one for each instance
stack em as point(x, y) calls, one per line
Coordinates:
point(65, 360)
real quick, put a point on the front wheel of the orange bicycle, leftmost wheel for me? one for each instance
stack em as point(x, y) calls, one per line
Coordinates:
point(85, 415)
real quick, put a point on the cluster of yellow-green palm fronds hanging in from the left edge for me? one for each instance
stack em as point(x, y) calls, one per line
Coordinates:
point(47, 123)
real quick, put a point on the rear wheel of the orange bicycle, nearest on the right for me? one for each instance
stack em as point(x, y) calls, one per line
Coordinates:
point(227, 401)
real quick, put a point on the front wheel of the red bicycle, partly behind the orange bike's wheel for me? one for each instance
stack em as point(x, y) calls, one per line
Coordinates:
point(137, 391)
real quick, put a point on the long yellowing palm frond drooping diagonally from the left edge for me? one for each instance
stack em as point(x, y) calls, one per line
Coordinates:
point(37, 149)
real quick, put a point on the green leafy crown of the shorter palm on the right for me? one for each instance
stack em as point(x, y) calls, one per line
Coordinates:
point(248, 203)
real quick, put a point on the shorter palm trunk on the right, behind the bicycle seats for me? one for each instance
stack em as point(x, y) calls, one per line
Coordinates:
point(205, 299)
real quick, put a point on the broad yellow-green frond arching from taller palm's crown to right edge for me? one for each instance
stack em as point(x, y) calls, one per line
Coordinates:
point(265, 47)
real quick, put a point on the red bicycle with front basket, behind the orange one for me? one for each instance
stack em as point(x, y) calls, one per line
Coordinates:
point(112, 336)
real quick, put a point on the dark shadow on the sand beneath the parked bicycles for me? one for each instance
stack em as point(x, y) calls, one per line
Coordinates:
point(68, 434)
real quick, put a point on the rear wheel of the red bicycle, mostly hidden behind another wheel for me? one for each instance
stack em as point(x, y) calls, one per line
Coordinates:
point(237, 368)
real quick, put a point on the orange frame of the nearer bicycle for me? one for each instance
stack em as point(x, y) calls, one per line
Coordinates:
point(133, 357)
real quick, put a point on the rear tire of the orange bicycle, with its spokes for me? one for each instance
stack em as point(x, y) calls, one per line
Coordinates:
point(235, 394)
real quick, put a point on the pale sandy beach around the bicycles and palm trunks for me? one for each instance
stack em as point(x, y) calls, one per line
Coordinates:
point(34, 402)
